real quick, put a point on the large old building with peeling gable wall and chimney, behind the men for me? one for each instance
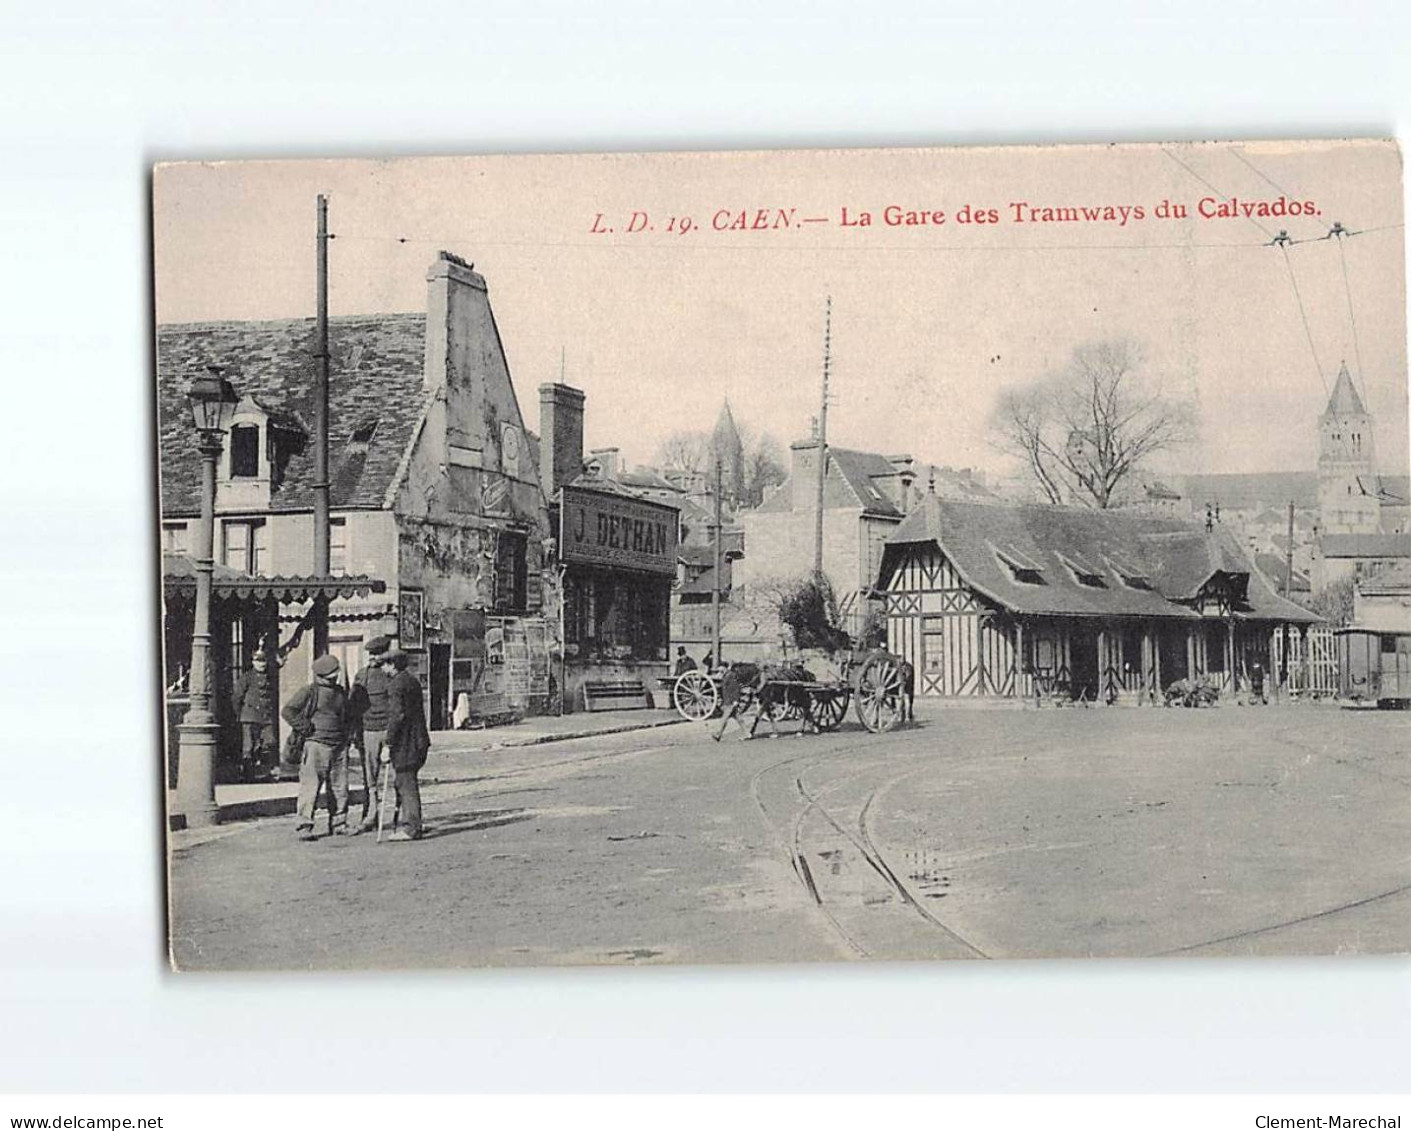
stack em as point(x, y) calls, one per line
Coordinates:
point(434, 491)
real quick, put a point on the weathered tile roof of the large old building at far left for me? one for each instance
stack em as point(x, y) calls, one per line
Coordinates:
point(375, 374)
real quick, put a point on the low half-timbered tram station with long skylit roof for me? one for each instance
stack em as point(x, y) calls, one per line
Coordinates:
point(1097, 606)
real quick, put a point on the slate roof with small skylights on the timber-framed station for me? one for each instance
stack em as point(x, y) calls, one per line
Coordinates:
point(1166, 559)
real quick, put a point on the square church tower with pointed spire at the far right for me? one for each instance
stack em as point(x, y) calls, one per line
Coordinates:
point(1348, 487)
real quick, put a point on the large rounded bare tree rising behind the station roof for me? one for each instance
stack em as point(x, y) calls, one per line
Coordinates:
point(1086, 431)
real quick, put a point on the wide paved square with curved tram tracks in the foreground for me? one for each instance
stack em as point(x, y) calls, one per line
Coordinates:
point(970, 836)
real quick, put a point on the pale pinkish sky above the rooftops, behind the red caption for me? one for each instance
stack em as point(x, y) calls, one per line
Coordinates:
point(929, 321)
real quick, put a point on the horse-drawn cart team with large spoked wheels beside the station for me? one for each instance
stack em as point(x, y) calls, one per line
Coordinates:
point(877, 687)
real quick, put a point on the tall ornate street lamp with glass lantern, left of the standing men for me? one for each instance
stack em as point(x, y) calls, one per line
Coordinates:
point(212, 405)
